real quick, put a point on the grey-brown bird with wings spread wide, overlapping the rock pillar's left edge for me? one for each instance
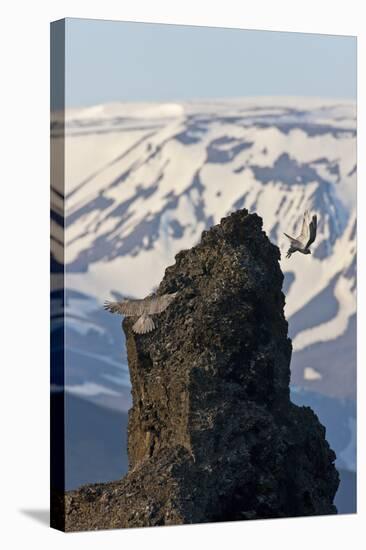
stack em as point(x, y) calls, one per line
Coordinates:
point(143, 309)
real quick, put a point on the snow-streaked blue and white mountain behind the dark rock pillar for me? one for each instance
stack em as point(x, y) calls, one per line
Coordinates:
point(144, 180)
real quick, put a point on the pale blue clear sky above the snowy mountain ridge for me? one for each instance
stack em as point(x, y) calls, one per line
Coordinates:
point(120, 61)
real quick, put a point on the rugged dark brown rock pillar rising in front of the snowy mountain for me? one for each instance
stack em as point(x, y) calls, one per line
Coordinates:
point(212, 434)
